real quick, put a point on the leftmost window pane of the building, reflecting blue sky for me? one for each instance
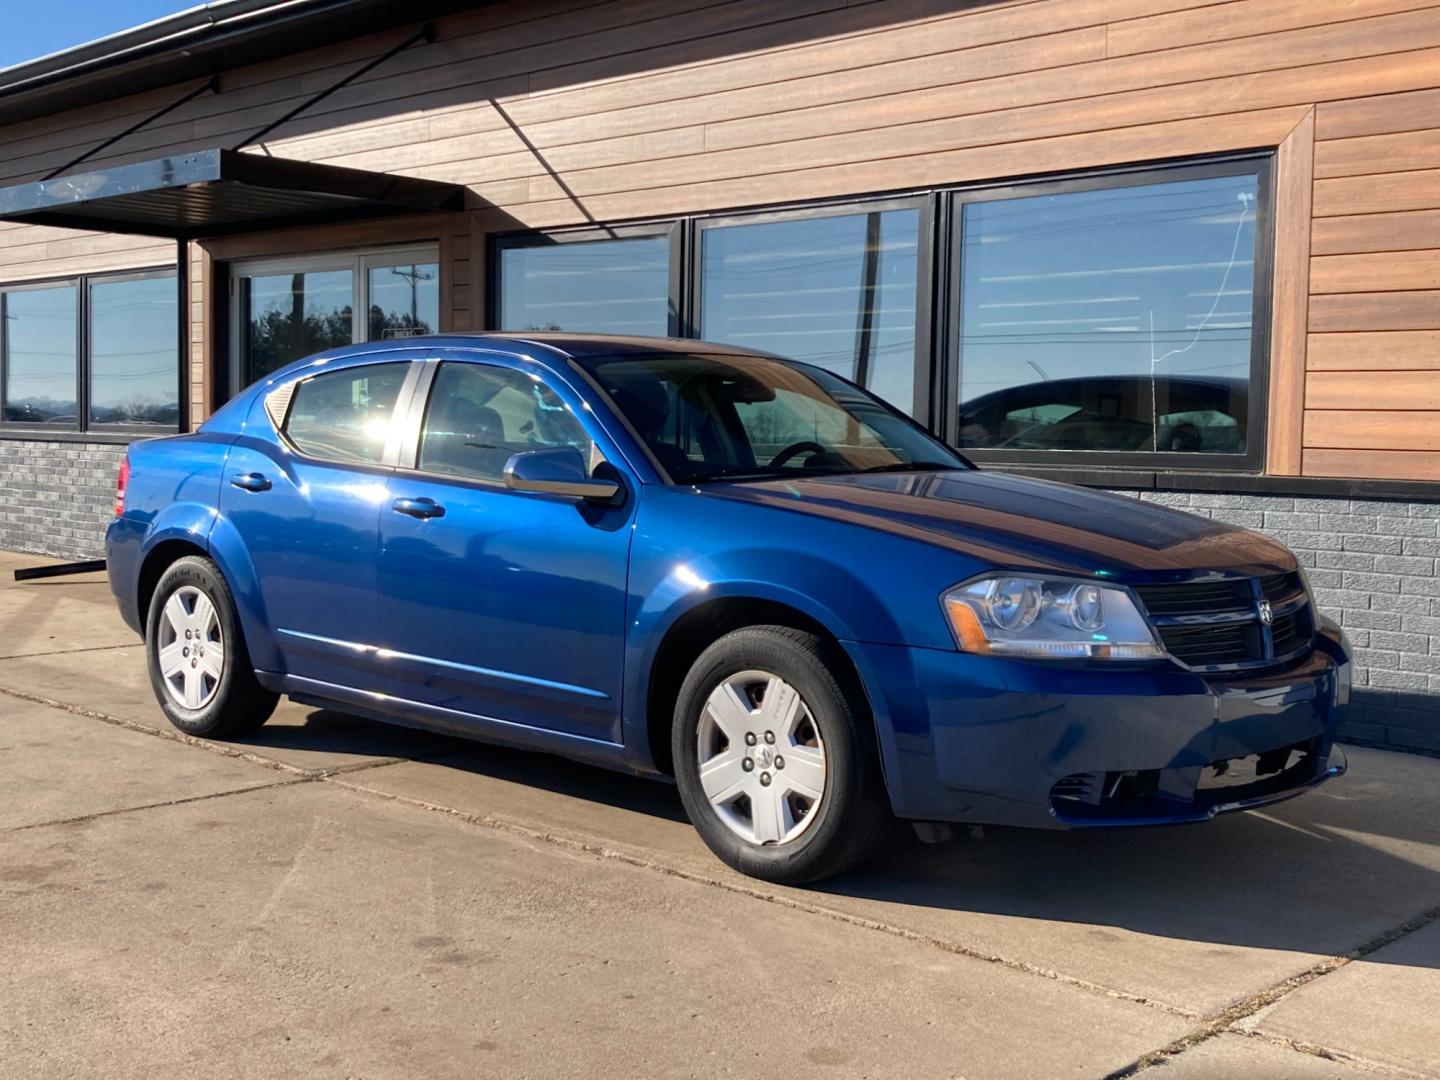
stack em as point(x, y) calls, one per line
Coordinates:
point(41, 356)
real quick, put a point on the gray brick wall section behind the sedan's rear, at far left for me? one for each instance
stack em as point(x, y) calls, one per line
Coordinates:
point(57, 498)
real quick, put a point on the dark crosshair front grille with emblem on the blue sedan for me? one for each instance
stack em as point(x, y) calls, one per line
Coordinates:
point(1218, 624)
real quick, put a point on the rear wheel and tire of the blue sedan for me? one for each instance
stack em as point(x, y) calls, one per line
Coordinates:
point(205, 683)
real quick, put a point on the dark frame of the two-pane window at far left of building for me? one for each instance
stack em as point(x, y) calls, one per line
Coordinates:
point(84, 284)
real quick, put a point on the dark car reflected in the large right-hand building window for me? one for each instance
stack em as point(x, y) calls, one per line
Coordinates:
point(1167, 414)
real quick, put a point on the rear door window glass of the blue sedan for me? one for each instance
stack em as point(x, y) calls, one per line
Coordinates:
point(346, 415)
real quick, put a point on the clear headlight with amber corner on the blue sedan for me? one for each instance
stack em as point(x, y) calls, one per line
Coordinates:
point(1049, 618)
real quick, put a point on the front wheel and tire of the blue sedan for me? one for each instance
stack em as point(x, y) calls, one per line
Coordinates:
point(755, 810)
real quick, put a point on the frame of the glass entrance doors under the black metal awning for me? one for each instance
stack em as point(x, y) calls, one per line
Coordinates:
point(359, 263)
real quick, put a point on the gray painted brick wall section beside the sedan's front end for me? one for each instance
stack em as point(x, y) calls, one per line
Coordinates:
point(1374, 570)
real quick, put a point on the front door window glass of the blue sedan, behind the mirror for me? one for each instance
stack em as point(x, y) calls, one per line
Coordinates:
point(479, 415)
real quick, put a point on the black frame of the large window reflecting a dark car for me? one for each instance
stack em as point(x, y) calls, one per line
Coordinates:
point(951, 368)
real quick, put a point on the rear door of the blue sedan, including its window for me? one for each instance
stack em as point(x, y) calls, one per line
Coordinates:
point(307, 503)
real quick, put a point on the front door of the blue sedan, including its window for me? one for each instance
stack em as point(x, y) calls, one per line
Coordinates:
point(493, 603)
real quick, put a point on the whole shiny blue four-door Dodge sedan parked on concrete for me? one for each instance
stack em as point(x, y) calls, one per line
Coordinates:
point(750, 575)
